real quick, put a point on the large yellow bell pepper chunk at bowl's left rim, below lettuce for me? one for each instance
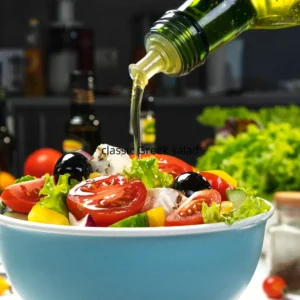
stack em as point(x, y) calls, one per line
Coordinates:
point(45, 215)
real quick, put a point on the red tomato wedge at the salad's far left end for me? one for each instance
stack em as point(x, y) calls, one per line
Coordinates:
point(21, 197)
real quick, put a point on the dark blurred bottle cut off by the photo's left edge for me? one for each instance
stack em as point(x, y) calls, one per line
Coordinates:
point(6, 139)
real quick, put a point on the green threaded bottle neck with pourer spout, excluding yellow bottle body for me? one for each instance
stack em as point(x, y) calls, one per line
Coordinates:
point(182, 39)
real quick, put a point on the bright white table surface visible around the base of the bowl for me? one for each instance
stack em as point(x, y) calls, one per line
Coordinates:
point(253, 292)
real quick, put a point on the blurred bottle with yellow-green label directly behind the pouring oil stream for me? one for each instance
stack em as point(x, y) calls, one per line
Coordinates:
point(147, 126)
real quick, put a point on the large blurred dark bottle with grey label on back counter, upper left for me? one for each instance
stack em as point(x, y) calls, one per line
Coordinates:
point(70, 47)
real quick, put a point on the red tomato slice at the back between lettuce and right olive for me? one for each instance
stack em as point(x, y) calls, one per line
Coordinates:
point(169, 164)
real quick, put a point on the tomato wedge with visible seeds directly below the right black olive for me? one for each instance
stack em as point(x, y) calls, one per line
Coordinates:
point(190, 211)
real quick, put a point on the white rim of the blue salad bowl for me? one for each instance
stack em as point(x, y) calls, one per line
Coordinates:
point(135, 232)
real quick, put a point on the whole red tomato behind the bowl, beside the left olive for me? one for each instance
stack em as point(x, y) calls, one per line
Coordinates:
point(41, 162)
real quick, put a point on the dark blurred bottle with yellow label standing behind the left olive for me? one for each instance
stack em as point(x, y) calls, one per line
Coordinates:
point(83, 131)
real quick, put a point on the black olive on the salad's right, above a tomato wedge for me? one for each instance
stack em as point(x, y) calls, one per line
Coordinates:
point(190, 182)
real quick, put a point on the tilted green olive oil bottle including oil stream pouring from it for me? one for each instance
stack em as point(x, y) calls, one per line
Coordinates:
point(182, 39)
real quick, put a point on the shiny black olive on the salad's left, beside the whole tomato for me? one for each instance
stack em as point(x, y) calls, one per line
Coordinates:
point(75, 164)
